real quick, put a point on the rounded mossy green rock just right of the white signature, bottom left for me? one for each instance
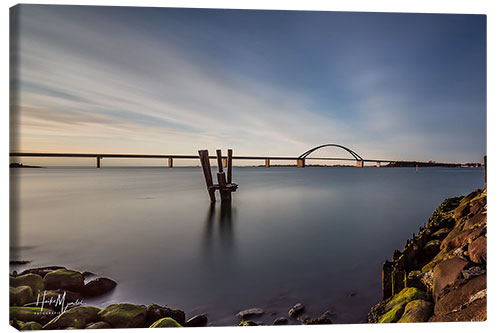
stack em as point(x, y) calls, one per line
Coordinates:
point(123, 315)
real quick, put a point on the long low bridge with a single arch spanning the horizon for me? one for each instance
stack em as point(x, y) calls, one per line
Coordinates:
point(300, 160)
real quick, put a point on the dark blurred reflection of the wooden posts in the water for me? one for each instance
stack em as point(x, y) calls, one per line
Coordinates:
point(224, 236)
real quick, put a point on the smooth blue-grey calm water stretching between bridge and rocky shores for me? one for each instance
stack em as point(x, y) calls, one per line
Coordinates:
point(314, 235)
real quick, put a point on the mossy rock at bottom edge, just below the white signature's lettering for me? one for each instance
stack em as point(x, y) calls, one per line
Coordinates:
point(77, 317)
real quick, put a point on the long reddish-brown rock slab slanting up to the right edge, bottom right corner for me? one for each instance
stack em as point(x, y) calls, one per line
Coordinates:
point(459, 295)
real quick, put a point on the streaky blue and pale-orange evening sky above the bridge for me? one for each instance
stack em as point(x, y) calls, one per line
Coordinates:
point(172, 81)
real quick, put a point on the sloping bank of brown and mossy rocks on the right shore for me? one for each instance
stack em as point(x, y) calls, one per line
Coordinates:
point(440, 276)
